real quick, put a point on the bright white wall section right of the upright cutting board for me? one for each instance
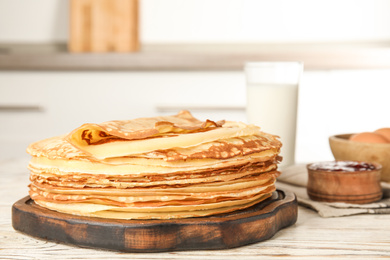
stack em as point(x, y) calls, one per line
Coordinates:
point(265, 21)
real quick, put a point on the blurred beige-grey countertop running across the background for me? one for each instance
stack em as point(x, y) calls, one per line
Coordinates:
point(195, 57)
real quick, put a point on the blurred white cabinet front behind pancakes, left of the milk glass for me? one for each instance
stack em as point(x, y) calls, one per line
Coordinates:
point(37, 105)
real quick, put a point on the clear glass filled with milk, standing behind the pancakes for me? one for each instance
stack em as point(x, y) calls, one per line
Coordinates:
point(272, 97)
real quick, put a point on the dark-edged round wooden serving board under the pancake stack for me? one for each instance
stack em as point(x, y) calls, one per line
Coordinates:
point(255, 224)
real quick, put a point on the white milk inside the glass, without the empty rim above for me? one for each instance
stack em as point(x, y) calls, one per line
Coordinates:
point(273, 107)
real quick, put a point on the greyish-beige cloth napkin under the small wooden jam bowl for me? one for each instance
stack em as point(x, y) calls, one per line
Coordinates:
point(294, 179)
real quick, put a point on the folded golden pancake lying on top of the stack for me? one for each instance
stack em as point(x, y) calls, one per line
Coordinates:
point(112, 139)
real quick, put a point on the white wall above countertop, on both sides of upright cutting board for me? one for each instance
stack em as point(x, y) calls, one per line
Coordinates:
point(214, 20)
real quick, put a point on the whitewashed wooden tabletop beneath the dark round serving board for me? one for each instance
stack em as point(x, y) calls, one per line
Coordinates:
point(357, 237)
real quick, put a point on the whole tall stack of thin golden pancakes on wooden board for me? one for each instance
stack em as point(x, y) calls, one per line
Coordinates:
point(154, 168)
